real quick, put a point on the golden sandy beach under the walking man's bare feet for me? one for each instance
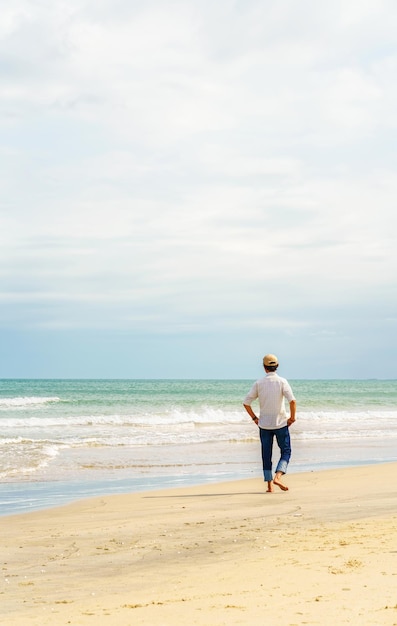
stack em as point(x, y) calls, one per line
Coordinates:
point(325, 552)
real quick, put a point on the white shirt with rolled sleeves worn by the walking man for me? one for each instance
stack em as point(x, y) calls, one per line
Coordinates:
point(271, 391)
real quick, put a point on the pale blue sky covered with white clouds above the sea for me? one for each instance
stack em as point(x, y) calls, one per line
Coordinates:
point(188, 185)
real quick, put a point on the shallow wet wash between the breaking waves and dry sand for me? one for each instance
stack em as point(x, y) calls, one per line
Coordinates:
point(83, 473)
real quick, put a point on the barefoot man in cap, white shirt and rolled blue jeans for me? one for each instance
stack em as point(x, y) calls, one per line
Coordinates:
point(272, 421)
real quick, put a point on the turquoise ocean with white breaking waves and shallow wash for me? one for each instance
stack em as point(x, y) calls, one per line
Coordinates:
point(62, 440)
